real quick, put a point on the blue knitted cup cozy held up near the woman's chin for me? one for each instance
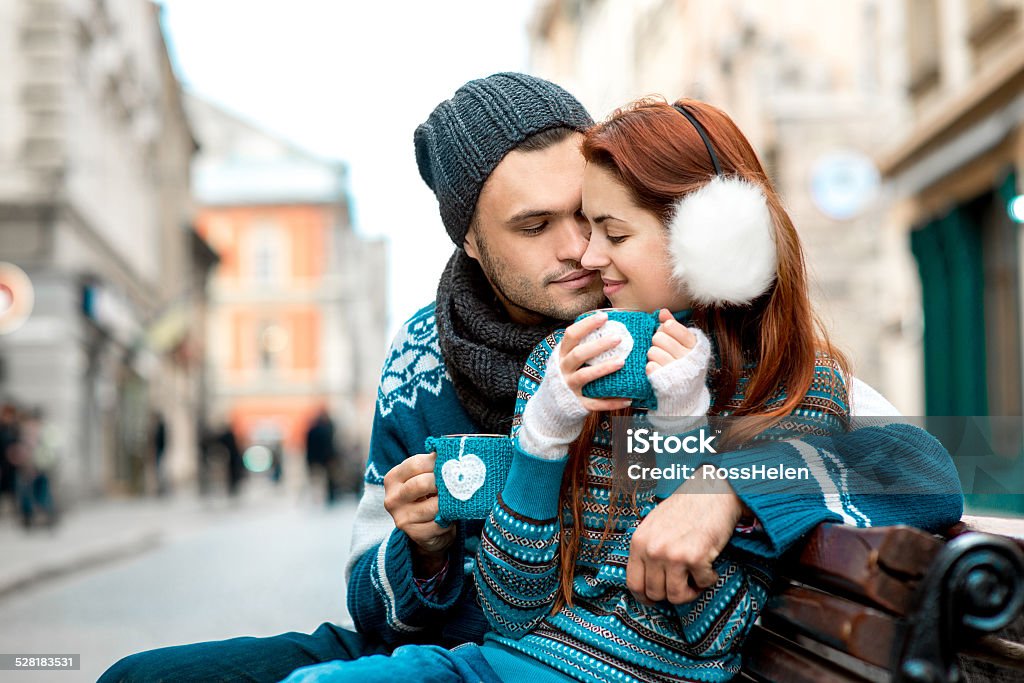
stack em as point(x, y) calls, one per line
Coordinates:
point(636, 330)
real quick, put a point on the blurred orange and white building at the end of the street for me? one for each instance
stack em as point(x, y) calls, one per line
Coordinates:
point(298, 305)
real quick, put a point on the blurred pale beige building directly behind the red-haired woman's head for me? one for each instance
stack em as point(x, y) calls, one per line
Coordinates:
point(817, 89)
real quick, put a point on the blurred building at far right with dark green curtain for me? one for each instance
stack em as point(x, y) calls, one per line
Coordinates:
point(953, 180)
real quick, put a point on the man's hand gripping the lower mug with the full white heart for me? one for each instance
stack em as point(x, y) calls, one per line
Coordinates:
point(411, 499)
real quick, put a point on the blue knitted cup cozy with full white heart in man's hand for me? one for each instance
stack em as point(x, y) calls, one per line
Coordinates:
point(471, 472)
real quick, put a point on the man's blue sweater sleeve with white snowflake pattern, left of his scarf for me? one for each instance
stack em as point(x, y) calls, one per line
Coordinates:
point(416, 400)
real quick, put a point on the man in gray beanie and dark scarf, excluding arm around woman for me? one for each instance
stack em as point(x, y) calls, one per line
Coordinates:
point(502, 157)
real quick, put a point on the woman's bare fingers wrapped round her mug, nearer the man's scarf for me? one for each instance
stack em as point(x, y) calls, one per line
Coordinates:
point(576, 353)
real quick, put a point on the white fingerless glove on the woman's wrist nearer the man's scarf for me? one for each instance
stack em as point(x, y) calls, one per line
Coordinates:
point(553, 417)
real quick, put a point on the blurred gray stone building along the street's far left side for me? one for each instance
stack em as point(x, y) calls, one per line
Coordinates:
point(95, 207)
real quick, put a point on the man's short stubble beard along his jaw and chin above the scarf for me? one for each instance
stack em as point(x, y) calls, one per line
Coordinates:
point(531, 297)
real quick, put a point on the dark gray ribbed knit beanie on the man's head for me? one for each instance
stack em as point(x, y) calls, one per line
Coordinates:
point(464, 139)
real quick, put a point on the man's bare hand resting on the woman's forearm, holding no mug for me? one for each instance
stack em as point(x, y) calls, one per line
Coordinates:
point(672, 551)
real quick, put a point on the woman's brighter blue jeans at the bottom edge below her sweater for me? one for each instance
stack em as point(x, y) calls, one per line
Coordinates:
point(423, 664)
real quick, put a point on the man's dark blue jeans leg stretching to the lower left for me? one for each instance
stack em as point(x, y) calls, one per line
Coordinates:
point(253, 660)
